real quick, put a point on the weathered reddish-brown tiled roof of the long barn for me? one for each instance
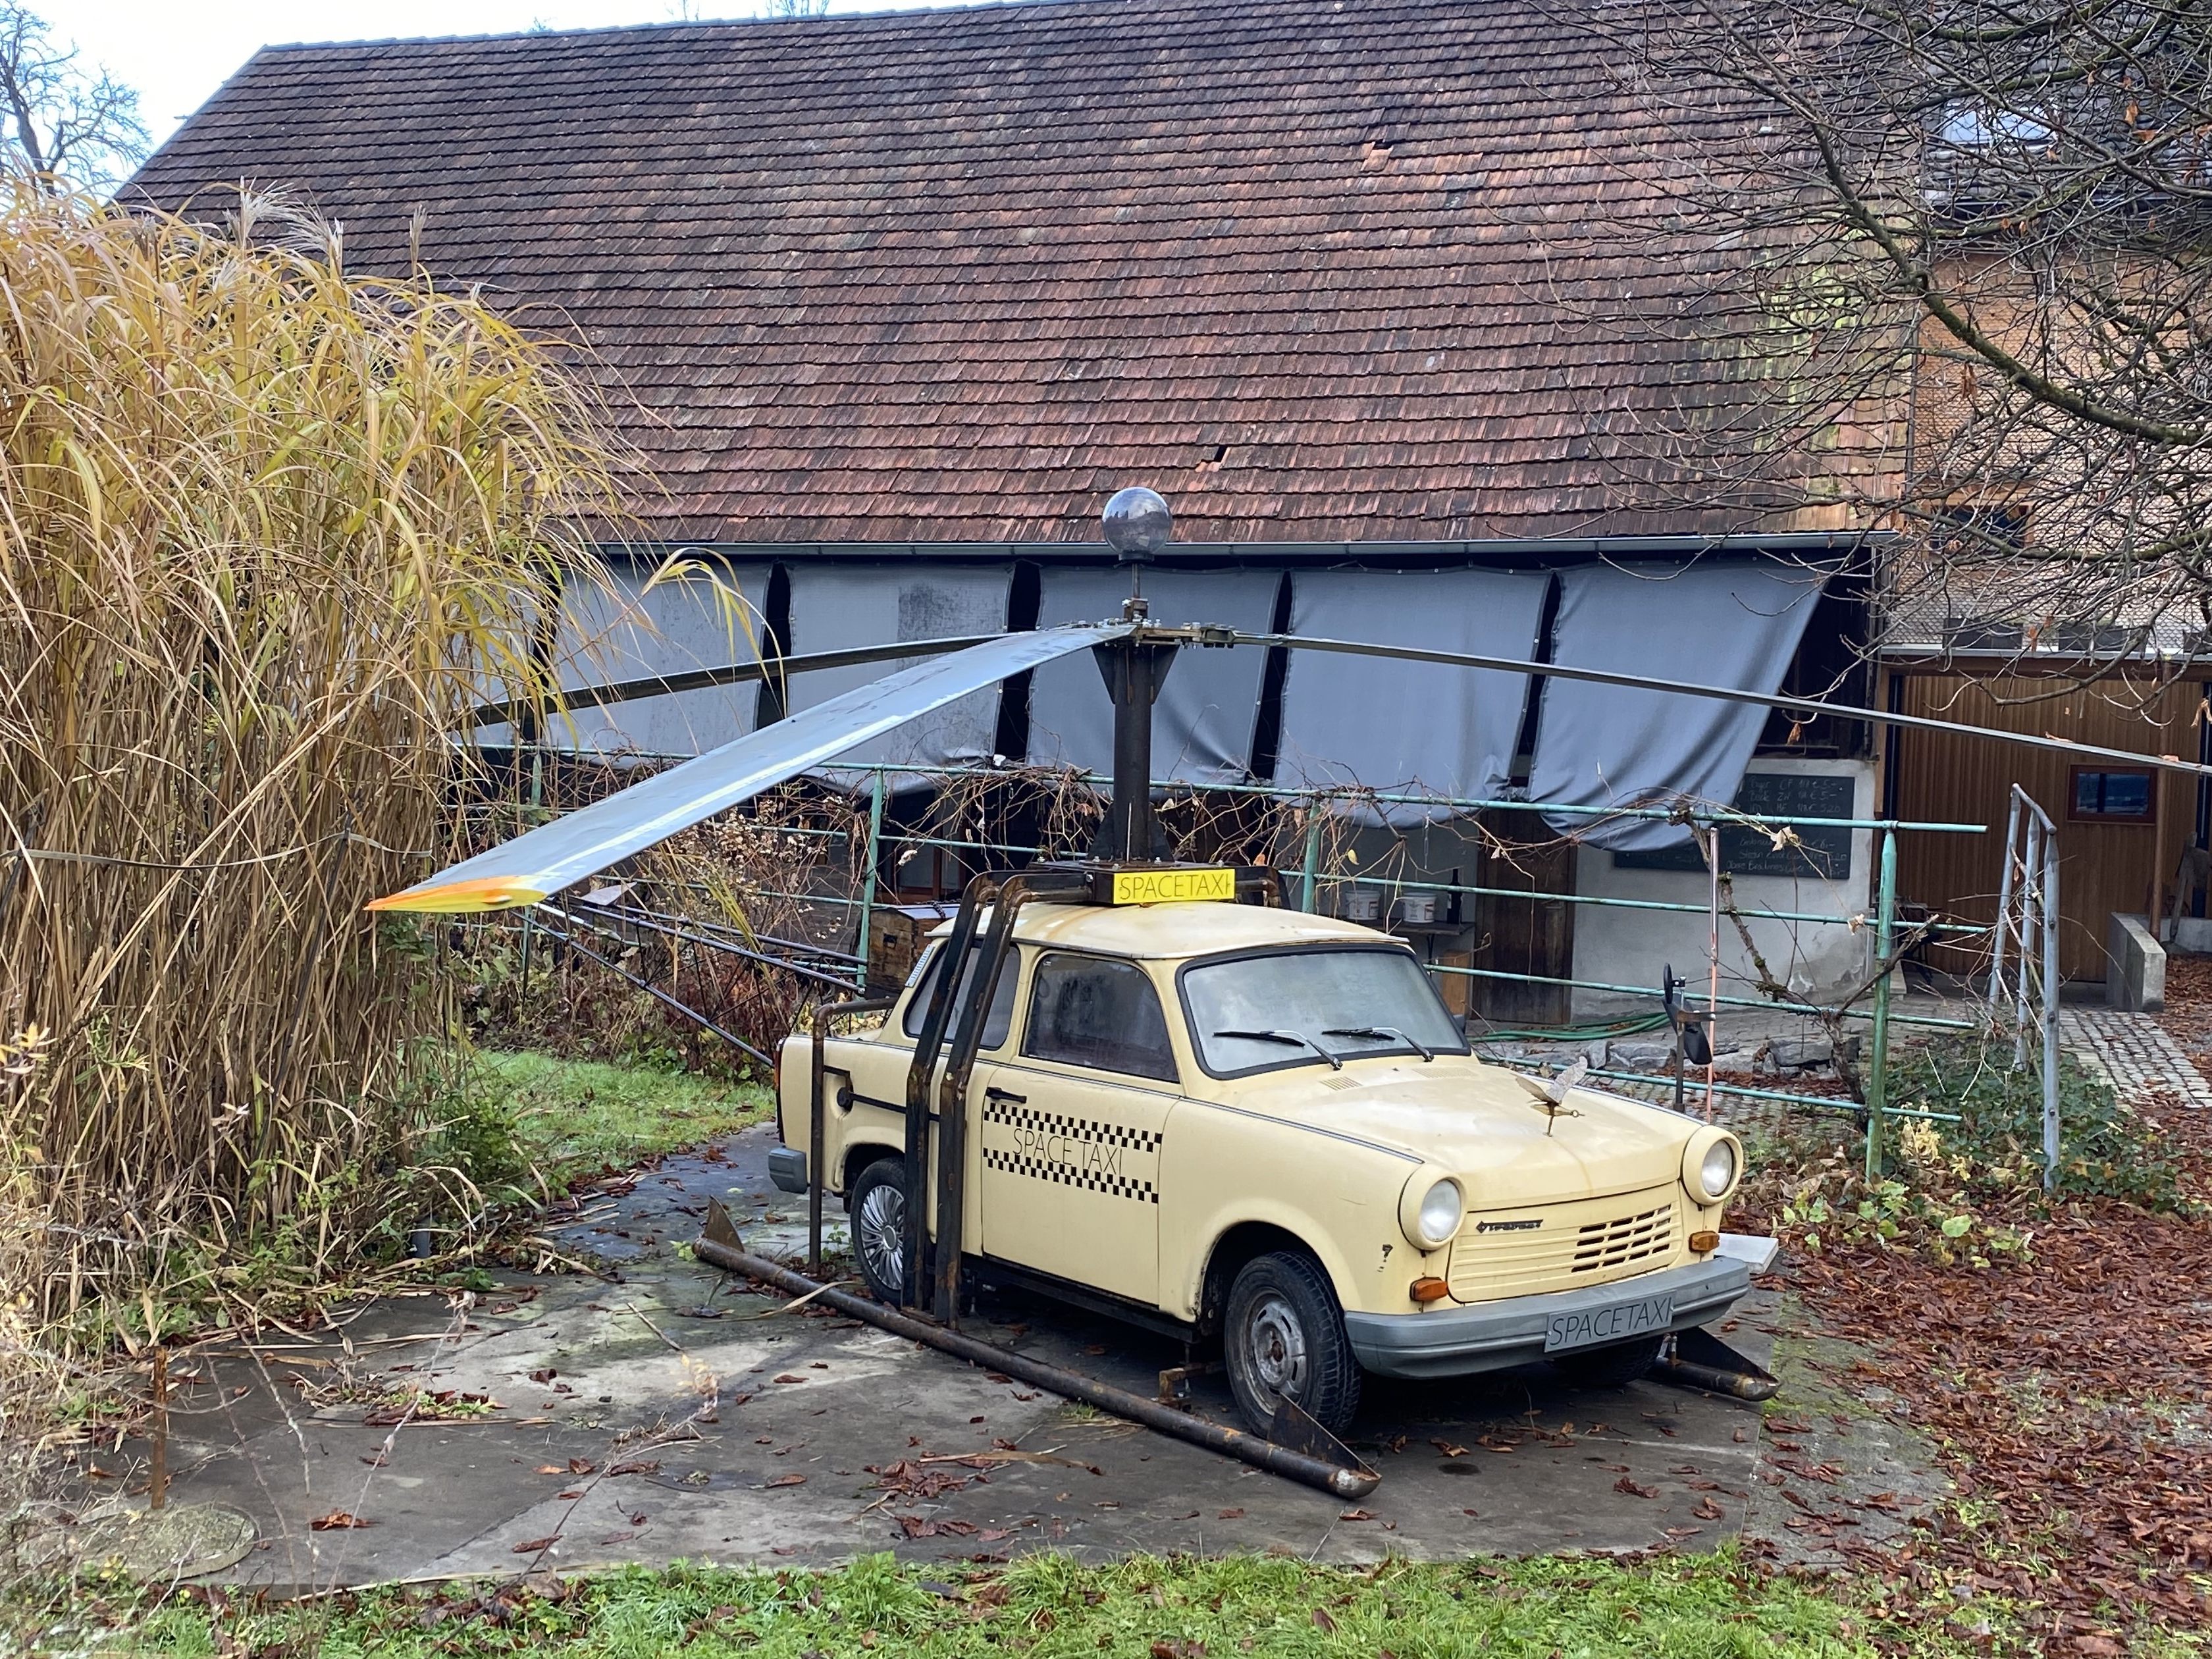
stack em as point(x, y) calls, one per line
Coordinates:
point(1315, 269)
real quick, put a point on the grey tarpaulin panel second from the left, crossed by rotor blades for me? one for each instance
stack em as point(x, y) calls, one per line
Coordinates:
point(873, 605)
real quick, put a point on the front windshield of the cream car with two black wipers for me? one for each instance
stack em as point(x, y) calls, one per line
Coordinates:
point(1313, 1008)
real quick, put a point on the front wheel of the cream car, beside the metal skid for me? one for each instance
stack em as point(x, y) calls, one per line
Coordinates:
point(1282, 1333)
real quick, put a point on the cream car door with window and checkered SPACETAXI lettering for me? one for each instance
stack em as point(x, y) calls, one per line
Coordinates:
point(1070, 1129)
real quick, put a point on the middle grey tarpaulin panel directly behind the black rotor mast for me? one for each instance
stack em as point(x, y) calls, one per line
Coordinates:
point(1202, 729)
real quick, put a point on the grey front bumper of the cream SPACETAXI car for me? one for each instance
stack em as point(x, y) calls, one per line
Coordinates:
point(1490, 1337)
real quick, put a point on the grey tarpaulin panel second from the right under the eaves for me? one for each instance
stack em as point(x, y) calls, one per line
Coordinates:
point(1399, 727)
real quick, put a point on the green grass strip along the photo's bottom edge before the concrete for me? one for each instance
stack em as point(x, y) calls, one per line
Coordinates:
point(1711, 1607)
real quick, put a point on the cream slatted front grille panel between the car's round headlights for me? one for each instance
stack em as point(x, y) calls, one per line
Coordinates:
point(1563, 1246)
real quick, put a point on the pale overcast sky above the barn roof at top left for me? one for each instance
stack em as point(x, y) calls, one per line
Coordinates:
point(178, 52)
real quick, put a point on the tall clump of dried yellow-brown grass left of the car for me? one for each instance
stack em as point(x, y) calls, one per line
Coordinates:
point(267, 532)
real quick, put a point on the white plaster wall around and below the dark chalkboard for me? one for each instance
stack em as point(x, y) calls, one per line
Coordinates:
point(1813, 959)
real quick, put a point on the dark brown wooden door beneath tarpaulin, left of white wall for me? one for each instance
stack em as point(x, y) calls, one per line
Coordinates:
point(1534, 937)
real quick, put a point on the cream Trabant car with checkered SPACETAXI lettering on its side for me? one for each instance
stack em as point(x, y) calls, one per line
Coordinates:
point(1264, 1129)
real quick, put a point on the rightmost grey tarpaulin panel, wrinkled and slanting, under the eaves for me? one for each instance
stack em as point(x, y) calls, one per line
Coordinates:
point(1713, 625)
